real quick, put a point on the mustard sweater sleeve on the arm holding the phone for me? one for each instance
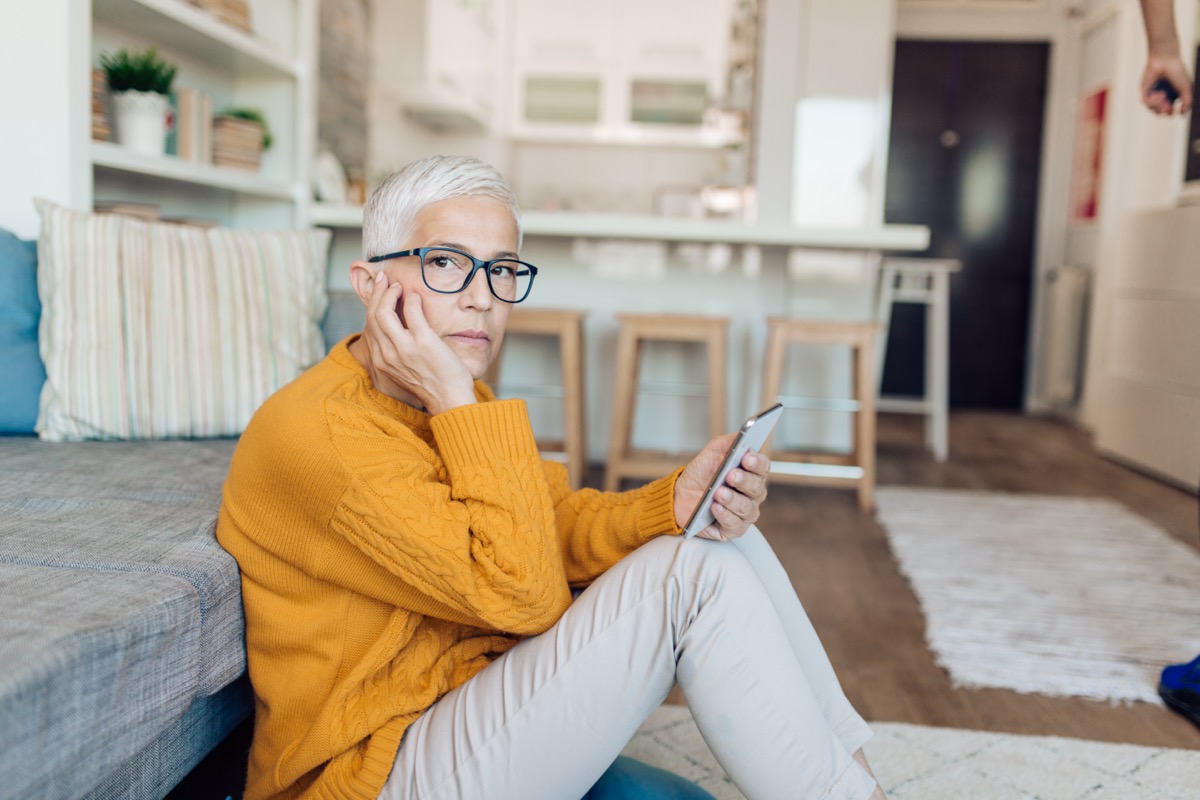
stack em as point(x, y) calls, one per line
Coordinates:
point(597, 530)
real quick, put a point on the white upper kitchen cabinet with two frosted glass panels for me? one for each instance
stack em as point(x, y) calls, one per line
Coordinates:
point(631, 71)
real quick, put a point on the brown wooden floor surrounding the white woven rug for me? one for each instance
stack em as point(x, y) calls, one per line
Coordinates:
point(869, 619)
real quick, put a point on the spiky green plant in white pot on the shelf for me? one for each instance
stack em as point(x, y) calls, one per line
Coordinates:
point(140, 83)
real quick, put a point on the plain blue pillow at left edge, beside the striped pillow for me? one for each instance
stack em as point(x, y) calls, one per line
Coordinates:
point(22, 374)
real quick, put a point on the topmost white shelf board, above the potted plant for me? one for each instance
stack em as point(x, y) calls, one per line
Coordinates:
point(179, 27)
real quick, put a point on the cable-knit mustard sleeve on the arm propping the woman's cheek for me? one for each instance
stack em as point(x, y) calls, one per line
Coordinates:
point(470, 538)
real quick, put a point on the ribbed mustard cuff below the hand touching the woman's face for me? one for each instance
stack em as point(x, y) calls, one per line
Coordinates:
point(483, 434)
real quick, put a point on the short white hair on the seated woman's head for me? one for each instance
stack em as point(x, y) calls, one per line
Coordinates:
point(392, 210)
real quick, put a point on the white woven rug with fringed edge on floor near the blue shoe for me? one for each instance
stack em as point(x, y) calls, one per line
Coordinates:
point(1064, 597)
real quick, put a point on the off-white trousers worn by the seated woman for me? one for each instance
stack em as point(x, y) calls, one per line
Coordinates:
point(547, 719)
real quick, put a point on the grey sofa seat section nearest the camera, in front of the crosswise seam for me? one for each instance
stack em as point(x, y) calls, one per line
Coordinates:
point(94, 666)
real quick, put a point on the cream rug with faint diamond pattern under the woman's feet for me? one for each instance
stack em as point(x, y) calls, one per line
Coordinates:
point(921, 763)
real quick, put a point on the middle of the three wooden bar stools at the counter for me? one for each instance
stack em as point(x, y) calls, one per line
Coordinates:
point(635, 329)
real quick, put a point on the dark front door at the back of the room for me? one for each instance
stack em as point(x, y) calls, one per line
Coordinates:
point(964, 159)
